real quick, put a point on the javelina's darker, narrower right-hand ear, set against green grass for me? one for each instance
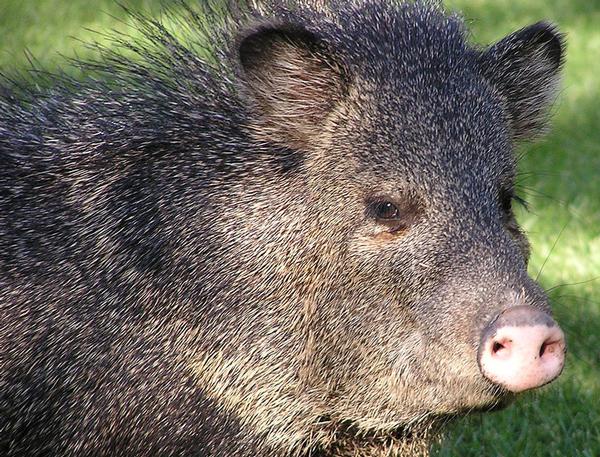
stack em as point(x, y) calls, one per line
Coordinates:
point(525, 68)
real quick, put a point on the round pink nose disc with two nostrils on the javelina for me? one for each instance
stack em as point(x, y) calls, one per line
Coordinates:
point(522, 349)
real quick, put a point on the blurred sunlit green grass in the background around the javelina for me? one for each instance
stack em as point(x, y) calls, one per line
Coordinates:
point(560, 179)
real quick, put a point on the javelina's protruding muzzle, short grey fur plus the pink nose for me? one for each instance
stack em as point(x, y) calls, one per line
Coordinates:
point(488, 294)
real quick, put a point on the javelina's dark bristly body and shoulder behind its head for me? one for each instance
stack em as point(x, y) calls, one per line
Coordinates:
point(94, 184)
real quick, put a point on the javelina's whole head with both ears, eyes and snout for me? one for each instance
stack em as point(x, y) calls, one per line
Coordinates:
point(387, 237)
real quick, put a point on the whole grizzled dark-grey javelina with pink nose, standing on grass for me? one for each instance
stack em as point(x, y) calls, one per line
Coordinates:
point(298, 241)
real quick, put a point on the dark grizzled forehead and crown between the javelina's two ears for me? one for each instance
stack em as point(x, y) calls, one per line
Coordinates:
point(424, 108)
